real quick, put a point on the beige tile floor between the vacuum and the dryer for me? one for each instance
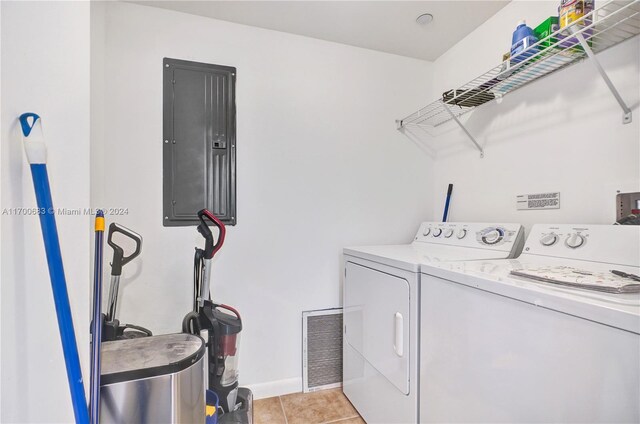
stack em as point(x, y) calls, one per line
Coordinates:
point(323, 407)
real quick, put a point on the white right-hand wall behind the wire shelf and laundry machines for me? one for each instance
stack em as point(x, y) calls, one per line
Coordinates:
point(563, 133)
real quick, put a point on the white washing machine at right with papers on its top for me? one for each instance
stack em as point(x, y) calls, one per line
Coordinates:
point(497, 347)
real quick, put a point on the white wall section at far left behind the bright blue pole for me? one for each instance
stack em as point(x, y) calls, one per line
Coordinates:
point(45, 69)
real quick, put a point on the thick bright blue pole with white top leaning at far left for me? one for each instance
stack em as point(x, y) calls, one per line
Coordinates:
point(36, 154)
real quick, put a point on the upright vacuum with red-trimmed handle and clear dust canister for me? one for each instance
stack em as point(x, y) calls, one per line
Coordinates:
point(219, 325)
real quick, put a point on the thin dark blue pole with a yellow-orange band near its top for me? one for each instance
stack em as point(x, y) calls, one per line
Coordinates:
point(96, 323)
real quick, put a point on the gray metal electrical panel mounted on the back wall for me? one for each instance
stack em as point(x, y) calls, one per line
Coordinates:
point(199, 142)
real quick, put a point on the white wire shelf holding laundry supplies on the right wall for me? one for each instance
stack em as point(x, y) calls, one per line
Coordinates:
point(604, 27)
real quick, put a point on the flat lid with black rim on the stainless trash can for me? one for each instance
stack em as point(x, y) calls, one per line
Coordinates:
point(134, 359)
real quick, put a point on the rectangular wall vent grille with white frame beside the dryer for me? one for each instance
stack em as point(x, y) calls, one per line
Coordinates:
point(322, 349)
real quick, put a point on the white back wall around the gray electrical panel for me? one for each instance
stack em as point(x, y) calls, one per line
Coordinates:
point(320, 166)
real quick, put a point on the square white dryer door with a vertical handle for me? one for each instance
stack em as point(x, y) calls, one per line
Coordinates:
point(376, 320)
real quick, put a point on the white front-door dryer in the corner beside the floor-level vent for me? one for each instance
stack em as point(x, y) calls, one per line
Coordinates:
point(382, 310)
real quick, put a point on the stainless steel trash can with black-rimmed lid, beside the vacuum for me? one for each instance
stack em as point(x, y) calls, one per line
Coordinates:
point(150, 380)
